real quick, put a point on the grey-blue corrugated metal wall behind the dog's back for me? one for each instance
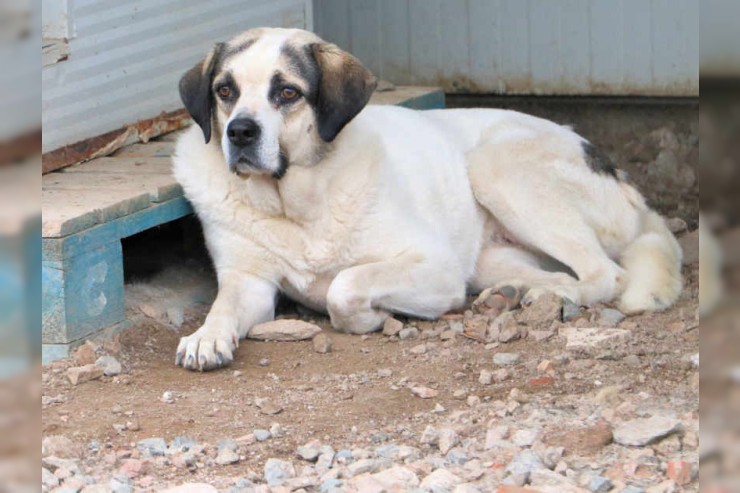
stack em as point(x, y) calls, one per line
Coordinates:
point(611, 47)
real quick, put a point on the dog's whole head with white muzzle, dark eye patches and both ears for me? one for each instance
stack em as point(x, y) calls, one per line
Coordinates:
point(275, 97)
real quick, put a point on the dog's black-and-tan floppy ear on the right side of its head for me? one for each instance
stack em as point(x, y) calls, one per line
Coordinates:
point(345, 87)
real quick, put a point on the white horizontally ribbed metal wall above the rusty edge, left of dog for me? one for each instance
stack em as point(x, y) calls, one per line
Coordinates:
point(126, 57)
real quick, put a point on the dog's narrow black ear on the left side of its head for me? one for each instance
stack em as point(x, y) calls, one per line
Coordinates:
point(195, 90)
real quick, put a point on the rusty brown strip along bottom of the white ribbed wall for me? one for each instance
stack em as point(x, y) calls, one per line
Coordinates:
point(109, 142)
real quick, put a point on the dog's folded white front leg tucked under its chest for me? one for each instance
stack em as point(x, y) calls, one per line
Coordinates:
point(361, 297)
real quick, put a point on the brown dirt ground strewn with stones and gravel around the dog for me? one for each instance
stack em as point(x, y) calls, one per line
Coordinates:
point(357, 397)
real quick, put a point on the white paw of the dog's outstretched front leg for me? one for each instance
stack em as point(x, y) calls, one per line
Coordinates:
point(206, 349)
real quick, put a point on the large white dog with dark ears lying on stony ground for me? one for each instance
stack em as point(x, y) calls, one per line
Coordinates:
point(361, 211)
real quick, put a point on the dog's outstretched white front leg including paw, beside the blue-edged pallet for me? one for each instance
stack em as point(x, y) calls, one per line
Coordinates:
point(242, 301)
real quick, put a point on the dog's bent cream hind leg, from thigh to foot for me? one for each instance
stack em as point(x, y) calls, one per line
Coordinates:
point(518, 189)
